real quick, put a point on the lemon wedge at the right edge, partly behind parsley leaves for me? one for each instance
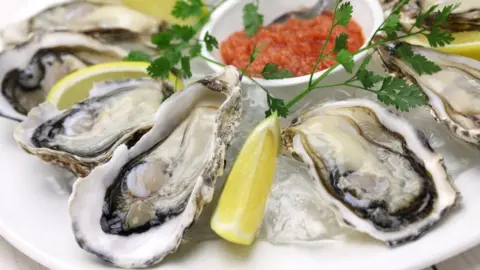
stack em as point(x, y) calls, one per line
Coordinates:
point(465, 43)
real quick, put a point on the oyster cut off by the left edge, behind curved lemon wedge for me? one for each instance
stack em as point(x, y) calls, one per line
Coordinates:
point(29, 70)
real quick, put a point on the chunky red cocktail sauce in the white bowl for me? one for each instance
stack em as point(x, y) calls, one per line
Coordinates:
point(294, 45)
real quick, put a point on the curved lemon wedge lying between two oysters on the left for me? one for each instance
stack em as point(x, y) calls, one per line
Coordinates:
point(76, 86)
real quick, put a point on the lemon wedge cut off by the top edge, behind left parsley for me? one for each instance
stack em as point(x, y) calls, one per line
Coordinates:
point(160, 9)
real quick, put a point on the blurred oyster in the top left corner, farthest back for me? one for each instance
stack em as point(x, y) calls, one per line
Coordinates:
point(92, 17)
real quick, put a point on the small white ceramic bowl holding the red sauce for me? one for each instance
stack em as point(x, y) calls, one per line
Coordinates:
point(227, 19)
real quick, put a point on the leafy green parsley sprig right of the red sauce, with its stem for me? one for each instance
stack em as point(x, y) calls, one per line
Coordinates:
point(389, 90)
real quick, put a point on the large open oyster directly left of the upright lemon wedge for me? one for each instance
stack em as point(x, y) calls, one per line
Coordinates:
point(134, 210)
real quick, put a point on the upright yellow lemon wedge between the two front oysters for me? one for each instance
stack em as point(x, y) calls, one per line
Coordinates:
point(240, 209)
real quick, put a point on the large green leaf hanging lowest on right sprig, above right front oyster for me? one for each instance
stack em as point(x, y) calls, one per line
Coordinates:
point(403, 96)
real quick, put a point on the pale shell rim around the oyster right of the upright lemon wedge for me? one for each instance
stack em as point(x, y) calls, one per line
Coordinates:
point(415, 140)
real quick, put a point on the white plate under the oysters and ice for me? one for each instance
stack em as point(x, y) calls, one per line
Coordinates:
point(34, 218)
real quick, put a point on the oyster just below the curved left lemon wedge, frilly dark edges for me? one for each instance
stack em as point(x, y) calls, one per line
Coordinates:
point(85, 135)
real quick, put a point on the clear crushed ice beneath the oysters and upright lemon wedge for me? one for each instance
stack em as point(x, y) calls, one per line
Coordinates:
point(294, 212)
